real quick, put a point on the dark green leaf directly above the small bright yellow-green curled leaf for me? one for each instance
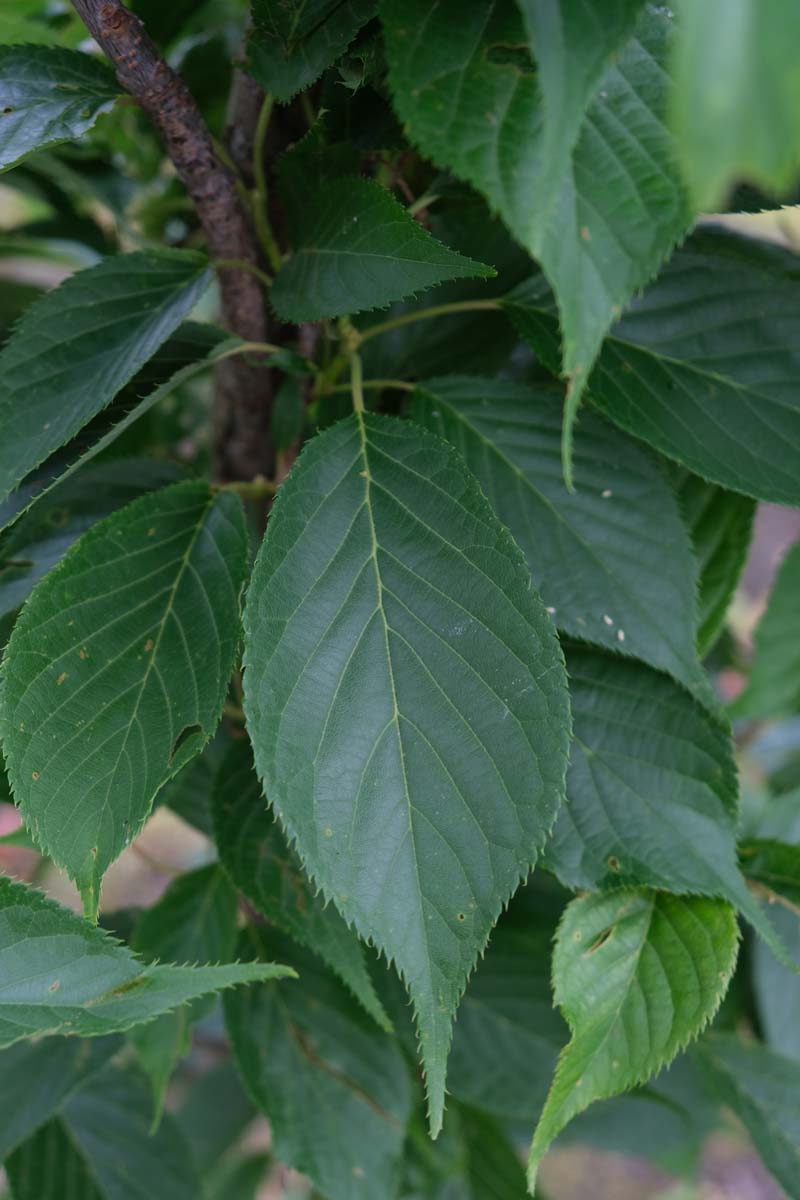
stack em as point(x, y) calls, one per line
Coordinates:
point(652, 789)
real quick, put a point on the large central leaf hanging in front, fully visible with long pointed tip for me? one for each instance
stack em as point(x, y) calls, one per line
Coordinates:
point(406, 698)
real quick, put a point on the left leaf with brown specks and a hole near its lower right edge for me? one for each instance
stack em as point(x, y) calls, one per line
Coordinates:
point(118, 670)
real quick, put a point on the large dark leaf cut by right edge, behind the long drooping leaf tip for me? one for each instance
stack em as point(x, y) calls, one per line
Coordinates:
point(706, 365)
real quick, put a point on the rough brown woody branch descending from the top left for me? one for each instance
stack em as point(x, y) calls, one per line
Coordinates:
point(244, 393)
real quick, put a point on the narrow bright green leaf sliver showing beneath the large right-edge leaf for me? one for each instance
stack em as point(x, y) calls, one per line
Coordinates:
point(720, 525)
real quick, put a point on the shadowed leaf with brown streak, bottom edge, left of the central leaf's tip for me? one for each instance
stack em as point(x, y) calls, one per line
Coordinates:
point(335, 1088)
